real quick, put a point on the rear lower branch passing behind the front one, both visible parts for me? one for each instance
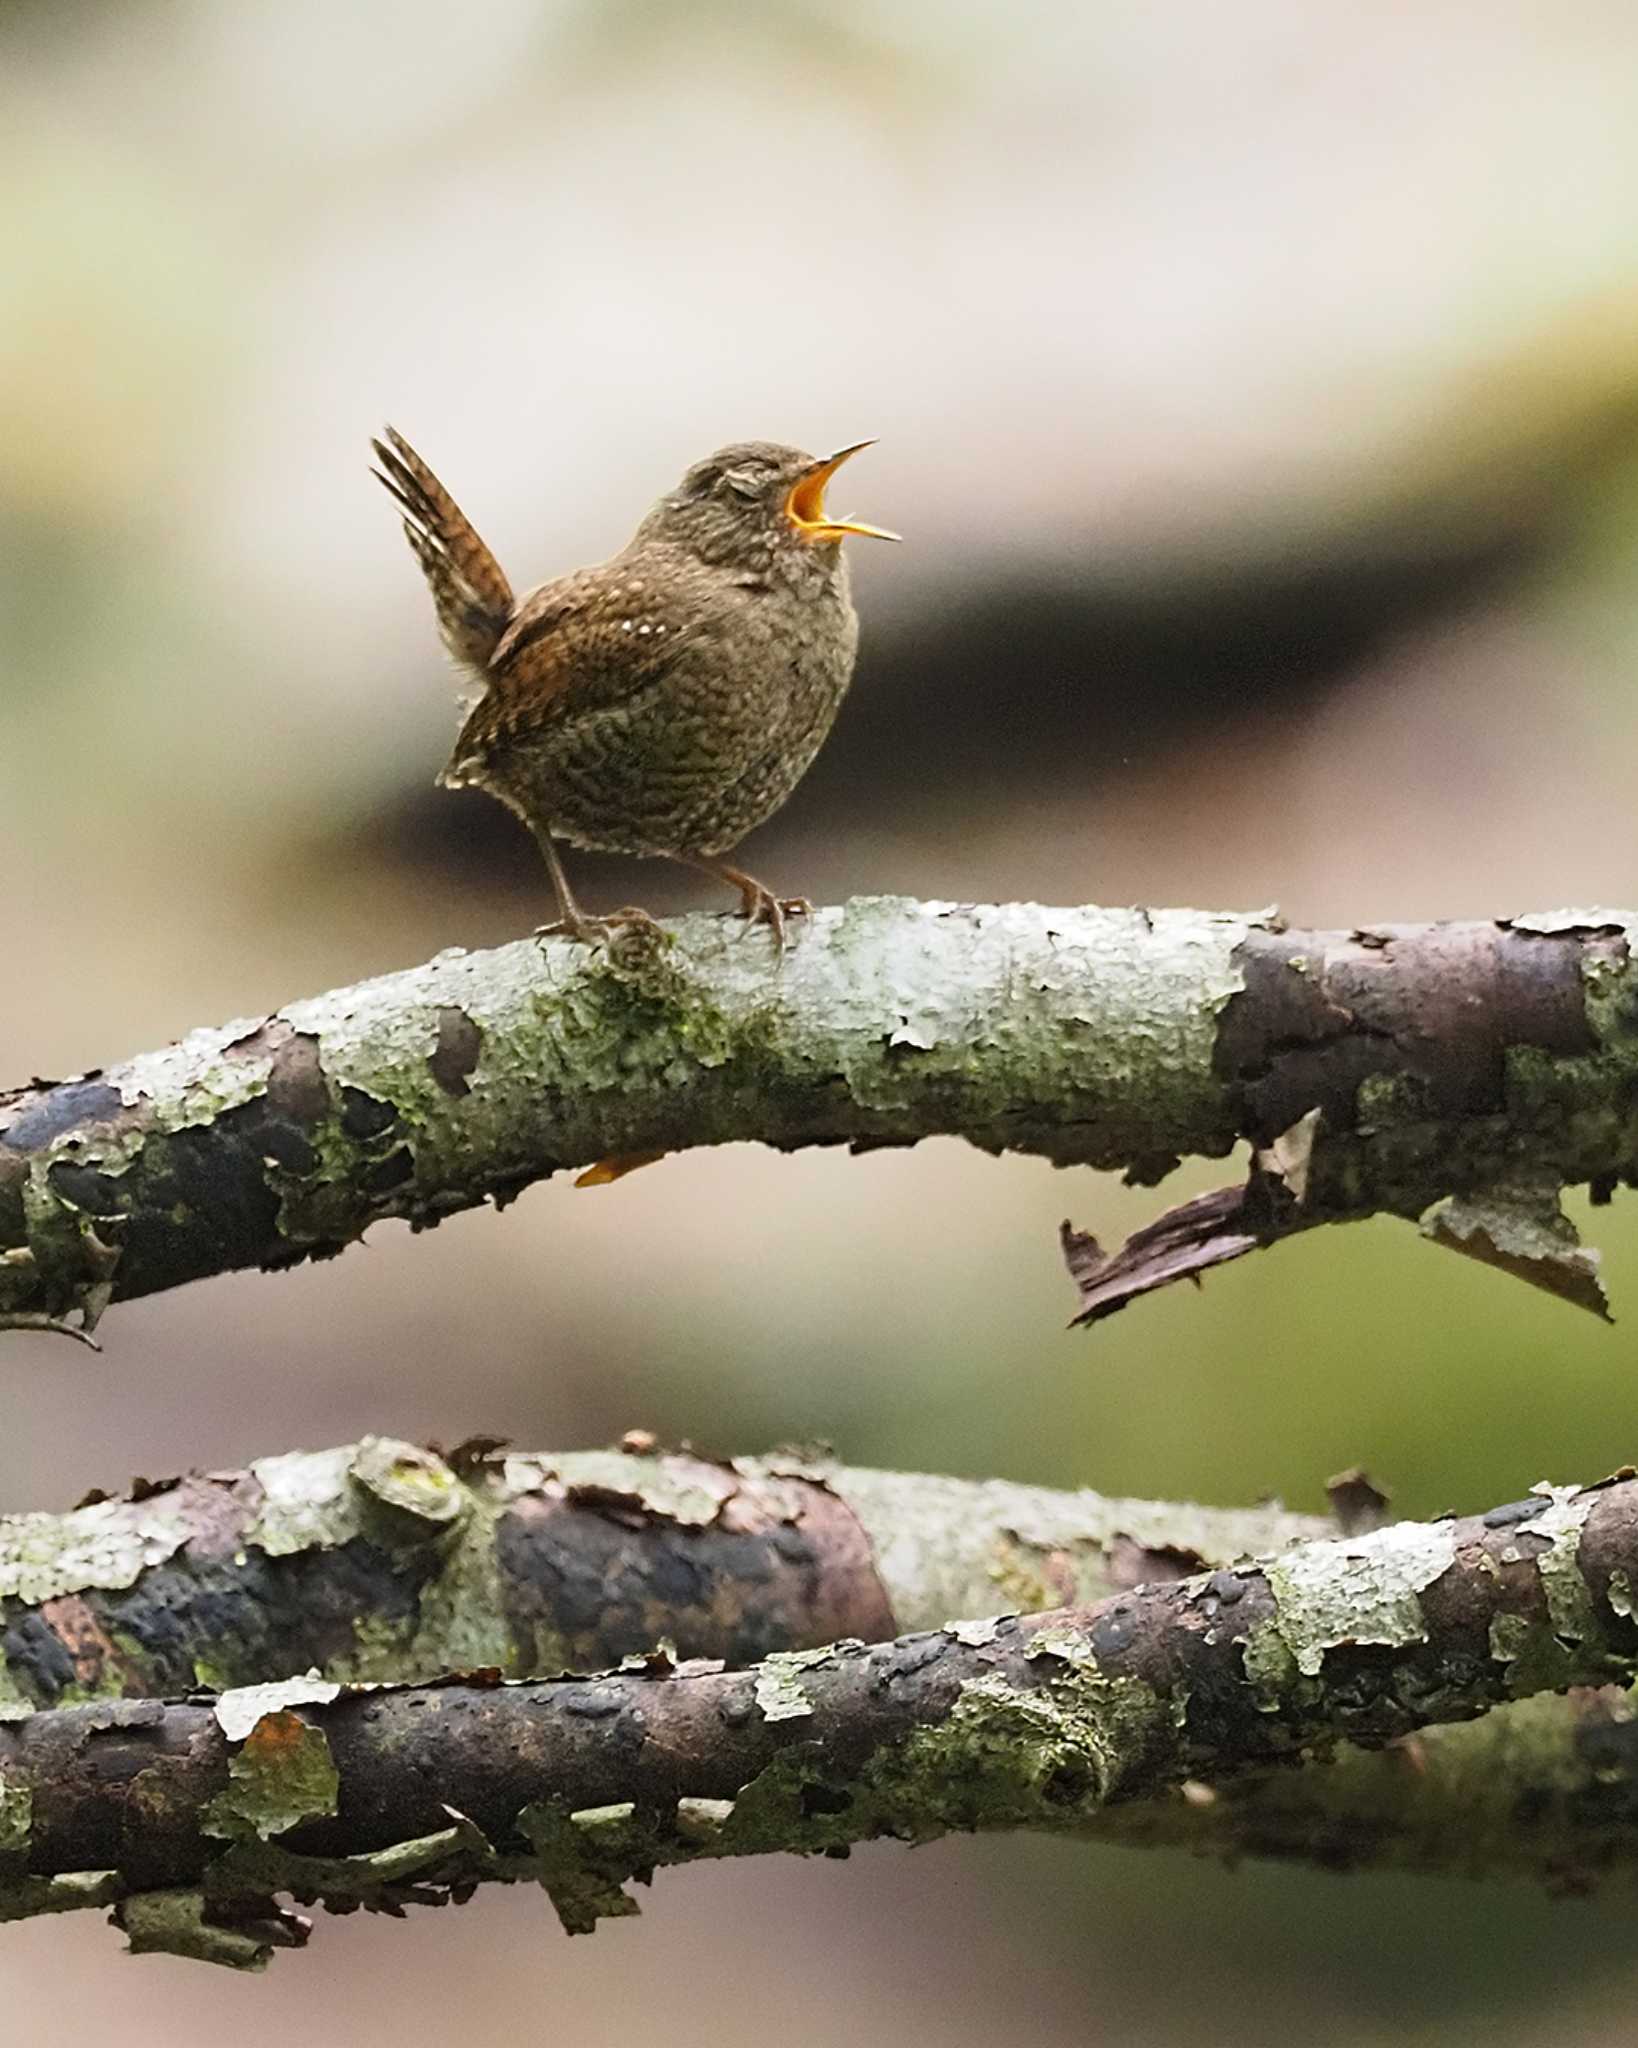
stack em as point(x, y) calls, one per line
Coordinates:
point(386, 1562)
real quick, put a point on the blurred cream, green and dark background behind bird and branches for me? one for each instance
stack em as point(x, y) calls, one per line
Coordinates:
point(1258, 390)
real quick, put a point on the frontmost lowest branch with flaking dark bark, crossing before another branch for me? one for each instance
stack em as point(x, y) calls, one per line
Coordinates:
point(202, 1814)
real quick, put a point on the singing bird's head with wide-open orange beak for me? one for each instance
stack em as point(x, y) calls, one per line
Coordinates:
point(761, 507)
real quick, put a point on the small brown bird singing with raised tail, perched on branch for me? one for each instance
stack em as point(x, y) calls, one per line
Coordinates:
point(671, 699)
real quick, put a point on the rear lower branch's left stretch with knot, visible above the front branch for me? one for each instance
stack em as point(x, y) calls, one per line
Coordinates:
point(386, 1562)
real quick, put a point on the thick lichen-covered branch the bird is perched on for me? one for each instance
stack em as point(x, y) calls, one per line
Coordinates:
point(1375, 1070)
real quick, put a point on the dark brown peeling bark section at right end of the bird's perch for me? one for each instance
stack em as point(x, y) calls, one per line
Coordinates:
point(1354, 1052)
